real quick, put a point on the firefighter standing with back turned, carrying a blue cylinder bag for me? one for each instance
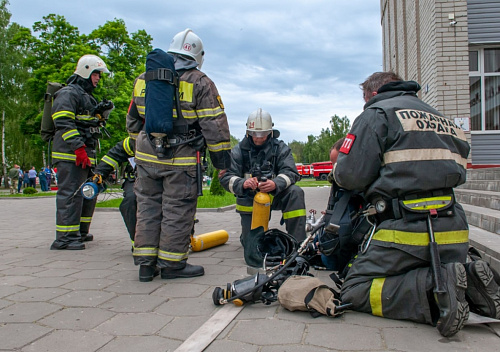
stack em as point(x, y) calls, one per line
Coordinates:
point(166, 185)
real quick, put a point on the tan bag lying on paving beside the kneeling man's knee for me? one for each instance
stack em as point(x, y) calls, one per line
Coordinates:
point(309, 294)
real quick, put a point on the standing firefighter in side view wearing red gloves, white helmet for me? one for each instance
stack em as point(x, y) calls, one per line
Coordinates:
point(78, 128)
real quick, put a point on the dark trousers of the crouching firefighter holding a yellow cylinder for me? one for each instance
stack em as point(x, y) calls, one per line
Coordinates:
point(292, 205)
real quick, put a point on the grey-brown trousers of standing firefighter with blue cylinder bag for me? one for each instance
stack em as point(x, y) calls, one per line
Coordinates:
point(166, 208)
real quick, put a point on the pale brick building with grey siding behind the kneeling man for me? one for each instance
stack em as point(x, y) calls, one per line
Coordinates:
point(452, 48)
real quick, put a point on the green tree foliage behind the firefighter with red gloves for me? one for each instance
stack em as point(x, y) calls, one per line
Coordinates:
point(50, 53)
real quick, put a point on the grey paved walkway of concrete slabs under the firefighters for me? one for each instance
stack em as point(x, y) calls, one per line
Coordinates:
point(92, 300)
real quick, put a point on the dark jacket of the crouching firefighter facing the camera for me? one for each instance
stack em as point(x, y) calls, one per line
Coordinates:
point(245, 156)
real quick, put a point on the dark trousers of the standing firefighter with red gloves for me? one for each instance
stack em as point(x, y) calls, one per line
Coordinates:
point(74, 213)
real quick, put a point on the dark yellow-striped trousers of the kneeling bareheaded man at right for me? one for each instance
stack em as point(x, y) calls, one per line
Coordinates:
point(393, 278)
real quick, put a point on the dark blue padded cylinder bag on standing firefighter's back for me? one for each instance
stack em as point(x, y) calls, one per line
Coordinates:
point(162, 82)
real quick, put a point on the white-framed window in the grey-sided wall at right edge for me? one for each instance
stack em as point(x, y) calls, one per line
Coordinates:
point(484, 83)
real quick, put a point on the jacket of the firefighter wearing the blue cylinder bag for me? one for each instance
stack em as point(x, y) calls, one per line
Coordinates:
point(203, 111)
